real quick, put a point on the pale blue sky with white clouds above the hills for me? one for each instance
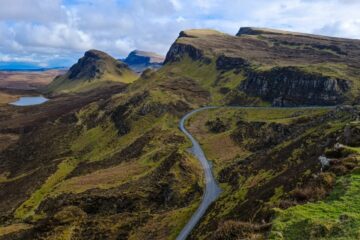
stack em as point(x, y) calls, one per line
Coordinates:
point(49, 33)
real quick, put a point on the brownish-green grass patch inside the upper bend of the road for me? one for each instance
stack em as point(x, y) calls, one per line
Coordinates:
point(224, 153)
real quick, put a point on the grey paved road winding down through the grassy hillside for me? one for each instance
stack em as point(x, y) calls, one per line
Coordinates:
point(212, 189)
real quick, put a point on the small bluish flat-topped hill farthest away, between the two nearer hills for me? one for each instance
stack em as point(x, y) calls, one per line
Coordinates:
point(138, 60)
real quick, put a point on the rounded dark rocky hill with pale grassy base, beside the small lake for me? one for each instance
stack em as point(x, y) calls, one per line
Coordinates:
point(91, 71)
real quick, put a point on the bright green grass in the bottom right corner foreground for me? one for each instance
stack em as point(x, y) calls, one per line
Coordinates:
point(337, 217)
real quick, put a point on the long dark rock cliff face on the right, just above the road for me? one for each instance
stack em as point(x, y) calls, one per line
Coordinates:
point(290, 86)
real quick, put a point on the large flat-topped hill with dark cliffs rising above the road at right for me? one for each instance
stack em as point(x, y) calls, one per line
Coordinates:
point(281, 68)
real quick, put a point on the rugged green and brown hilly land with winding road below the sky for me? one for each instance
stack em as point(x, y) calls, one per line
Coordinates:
point(106, 158)
